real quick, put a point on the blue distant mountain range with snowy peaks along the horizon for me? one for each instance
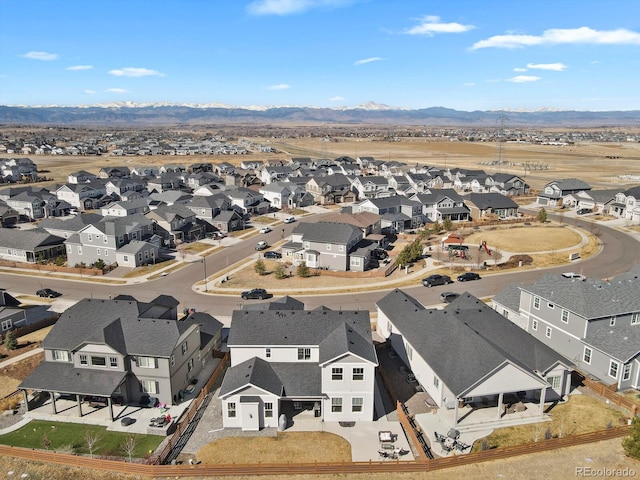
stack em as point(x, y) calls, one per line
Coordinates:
point(370, 113)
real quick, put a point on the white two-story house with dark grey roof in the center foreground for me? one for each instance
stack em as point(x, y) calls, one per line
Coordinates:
point(287, 362)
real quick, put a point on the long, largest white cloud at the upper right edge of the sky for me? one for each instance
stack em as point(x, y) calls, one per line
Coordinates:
point(556, 36)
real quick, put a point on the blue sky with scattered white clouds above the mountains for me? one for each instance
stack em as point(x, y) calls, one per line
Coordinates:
point(467, 55)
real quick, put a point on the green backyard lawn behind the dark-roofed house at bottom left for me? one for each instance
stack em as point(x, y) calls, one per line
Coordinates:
point(72, 438)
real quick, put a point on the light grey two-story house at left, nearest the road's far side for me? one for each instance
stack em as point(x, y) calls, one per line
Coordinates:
point(102, 240)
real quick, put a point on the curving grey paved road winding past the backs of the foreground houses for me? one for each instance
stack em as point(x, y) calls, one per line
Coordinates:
point(620, 252)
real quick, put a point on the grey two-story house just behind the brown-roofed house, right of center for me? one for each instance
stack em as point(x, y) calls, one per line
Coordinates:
point(397, 213)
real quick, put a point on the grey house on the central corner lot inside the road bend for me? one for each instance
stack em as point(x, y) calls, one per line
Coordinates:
point(329, 246)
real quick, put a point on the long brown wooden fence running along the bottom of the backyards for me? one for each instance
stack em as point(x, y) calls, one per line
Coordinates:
point(387, 466)
